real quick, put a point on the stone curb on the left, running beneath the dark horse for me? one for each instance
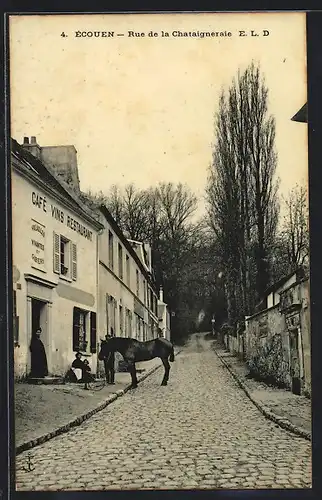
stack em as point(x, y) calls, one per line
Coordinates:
point(79, 420)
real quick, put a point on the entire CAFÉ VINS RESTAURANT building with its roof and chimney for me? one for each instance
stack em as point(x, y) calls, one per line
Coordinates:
point(55, 277)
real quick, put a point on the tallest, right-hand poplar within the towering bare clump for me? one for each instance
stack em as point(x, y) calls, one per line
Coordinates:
point(260, 134)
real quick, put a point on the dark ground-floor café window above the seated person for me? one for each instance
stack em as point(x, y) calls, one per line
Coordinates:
point(80, 333)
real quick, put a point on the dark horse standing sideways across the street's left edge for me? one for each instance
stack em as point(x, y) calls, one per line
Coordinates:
point(134, 350)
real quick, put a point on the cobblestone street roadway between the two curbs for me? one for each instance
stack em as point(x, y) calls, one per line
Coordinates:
point(201, 431)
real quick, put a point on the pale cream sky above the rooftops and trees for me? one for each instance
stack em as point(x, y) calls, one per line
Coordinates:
point(141, 109)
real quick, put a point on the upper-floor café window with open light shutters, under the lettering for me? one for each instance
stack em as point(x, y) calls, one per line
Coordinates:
point(65, 257)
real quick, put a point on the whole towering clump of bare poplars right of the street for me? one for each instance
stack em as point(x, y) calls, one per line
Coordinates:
point(242, 191)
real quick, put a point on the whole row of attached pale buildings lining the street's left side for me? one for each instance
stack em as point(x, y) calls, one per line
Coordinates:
point(75, 274)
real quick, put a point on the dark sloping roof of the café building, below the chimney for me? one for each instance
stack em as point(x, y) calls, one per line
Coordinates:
point(44, 173)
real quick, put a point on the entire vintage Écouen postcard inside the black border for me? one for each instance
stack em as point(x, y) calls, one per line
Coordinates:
point(159, 177)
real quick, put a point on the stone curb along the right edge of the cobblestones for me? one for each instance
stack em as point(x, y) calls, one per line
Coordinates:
point(267, 412)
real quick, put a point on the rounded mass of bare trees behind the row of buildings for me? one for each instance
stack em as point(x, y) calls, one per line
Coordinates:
point(181, 255)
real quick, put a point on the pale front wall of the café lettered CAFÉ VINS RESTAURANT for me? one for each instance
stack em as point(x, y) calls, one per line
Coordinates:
point(36, 215)
